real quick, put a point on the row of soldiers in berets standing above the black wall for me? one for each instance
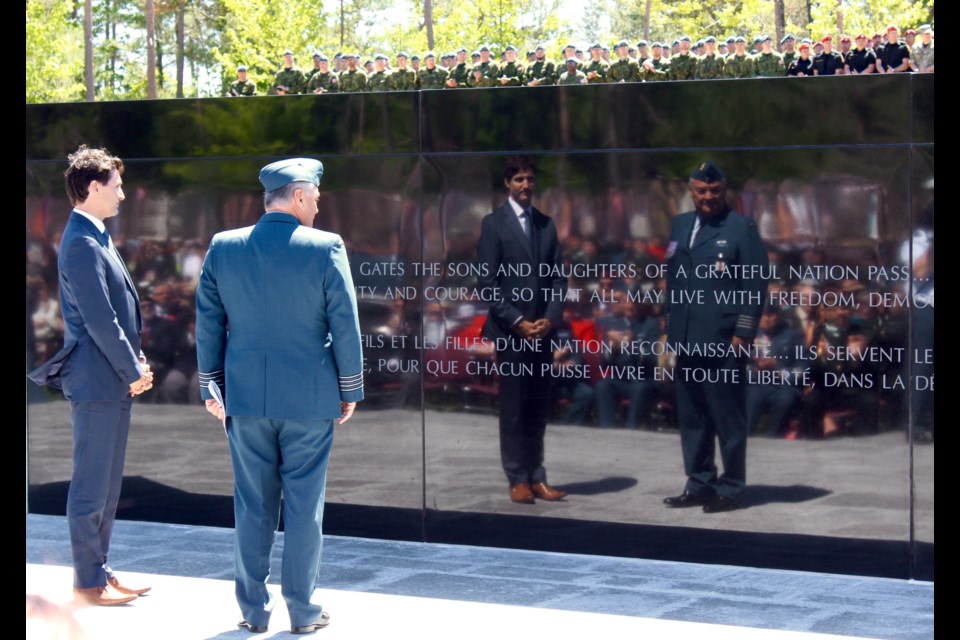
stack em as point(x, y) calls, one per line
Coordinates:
point(643, 63)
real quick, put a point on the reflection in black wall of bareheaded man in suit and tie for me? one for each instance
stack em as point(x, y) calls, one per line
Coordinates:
point(519, 255)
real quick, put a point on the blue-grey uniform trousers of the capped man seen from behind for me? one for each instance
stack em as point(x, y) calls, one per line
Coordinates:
point(274, 458)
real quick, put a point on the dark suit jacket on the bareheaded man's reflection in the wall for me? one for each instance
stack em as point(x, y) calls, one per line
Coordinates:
point(513, 269)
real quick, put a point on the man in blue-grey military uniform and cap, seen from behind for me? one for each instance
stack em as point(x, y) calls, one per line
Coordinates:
point(277, 326)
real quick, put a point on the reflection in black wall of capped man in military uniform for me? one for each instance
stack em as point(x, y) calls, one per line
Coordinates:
point(716, 265)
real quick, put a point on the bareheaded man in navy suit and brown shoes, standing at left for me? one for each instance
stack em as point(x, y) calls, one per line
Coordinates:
point(100, 368)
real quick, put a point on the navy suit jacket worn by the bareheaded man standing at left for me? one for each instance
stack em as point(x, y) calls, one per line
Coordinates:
point(101, 316)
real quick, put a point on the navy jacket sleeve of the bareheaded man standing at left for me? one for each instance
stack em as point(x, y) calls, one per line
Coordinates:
point(88, 285)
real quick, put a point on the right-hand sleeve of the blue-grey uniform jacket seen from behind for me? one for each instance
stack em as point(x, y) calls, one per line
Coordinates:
point(344, 322)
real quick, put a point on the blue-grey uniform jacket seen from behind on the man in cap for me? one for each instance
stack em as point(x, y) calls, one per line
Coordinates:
point(277, 325)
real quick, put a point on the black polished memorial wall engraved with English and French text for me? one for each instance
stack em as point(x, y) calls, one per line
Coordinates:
point(837, 172)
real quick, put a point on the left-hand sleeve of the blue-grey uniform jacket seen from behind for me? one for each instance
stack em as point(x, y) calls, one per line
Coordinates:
point(211, 327)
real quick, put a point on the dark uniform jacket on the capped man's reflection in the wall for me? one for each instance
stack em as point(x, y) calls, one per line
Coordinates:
point(727, 263)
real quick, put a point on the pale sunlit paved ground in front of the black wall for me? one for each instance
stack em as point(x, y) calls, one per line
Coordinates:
point(375, 589)
